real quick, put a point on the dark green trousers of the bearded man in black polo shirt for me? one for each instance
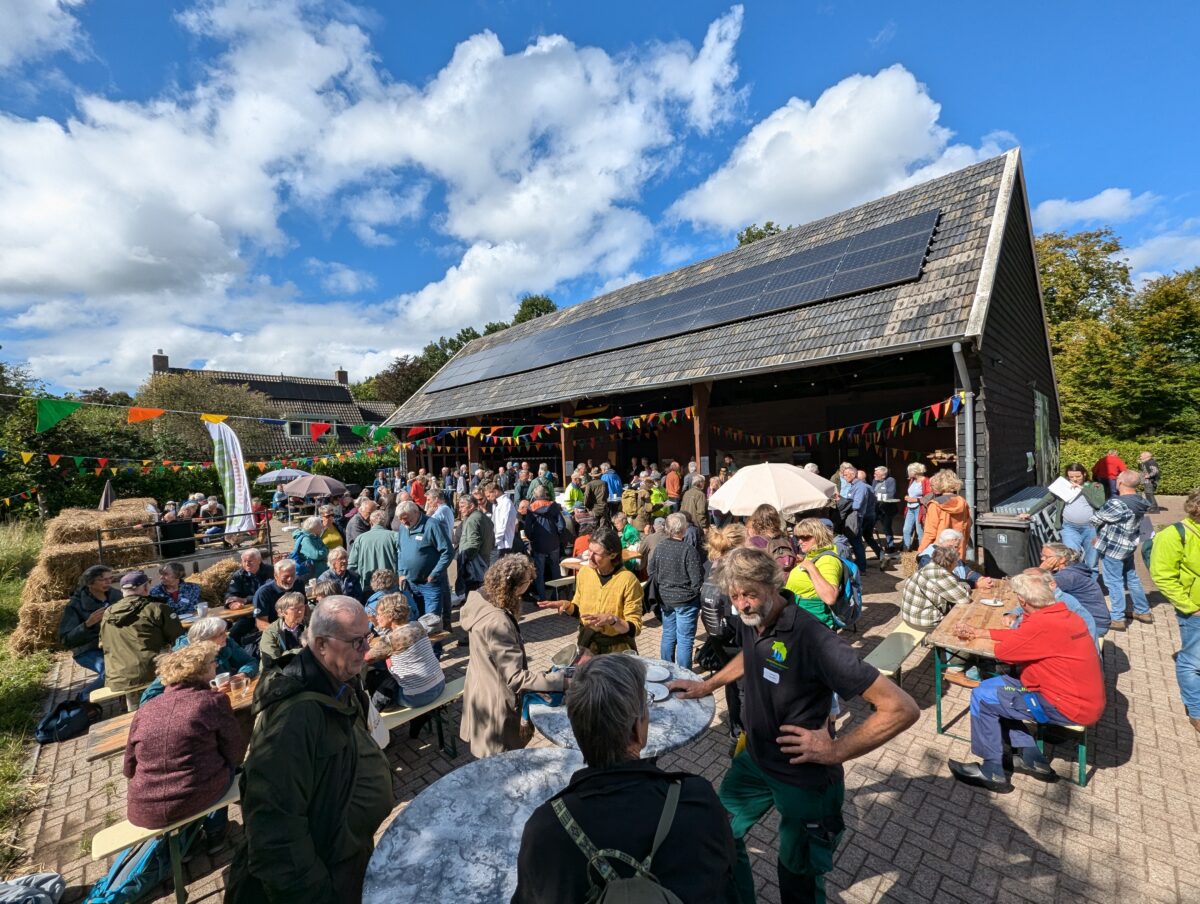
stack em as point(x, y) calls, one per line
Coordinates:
point(809, 829)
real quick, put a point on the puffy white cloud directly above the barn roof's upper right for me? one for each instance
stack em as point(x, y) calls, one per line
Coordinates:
point(862, 139)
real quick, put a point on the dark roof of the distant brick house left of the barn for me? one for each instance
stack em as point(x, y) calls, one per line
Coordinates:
point(303, 399)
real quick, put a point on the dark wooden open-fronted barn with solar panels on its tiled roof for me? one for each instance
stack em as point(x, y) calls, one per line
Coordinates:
point(907, 330)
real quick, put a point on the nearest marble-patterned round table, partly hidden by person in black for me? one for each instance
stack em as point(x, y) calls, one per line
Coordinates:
point(459, 840)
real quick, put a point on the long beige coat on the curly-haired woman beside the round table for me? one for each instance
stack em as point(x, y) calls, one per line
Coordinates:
point(497, 675)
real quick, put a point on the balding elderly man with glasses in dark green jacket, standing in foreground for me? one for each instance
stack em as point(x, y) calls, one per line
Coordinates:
point(316, 787)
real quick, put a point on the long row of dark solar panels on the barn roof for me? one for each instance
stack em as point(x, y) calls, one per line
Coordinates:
point(873, 260)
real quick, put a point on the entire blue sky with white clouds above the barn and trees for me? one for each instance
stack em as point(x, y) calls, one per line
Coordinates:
point(295, 187)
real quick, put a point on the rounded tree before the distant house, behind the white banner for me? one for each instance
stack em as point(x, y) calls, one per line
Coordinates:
point(184, 436)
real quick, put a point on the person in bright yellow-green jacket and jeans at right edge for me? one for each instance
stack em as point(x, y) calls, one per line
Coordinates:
point(1175, 568)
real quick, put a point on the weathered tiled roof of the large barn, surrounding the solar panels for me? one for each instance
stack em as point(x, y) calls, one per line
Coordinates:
point(947, 304)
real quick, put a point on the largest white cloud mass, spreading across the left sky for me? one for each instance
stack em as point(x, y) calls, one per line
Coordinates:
point(137, 225)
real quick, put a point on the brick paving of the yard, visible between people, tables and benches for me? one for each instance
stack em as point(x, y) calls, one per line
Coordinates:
point(1133, 835)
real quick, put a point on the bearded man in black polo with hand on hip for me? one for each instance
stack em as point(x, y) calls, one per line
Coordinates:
point(791, 666)
